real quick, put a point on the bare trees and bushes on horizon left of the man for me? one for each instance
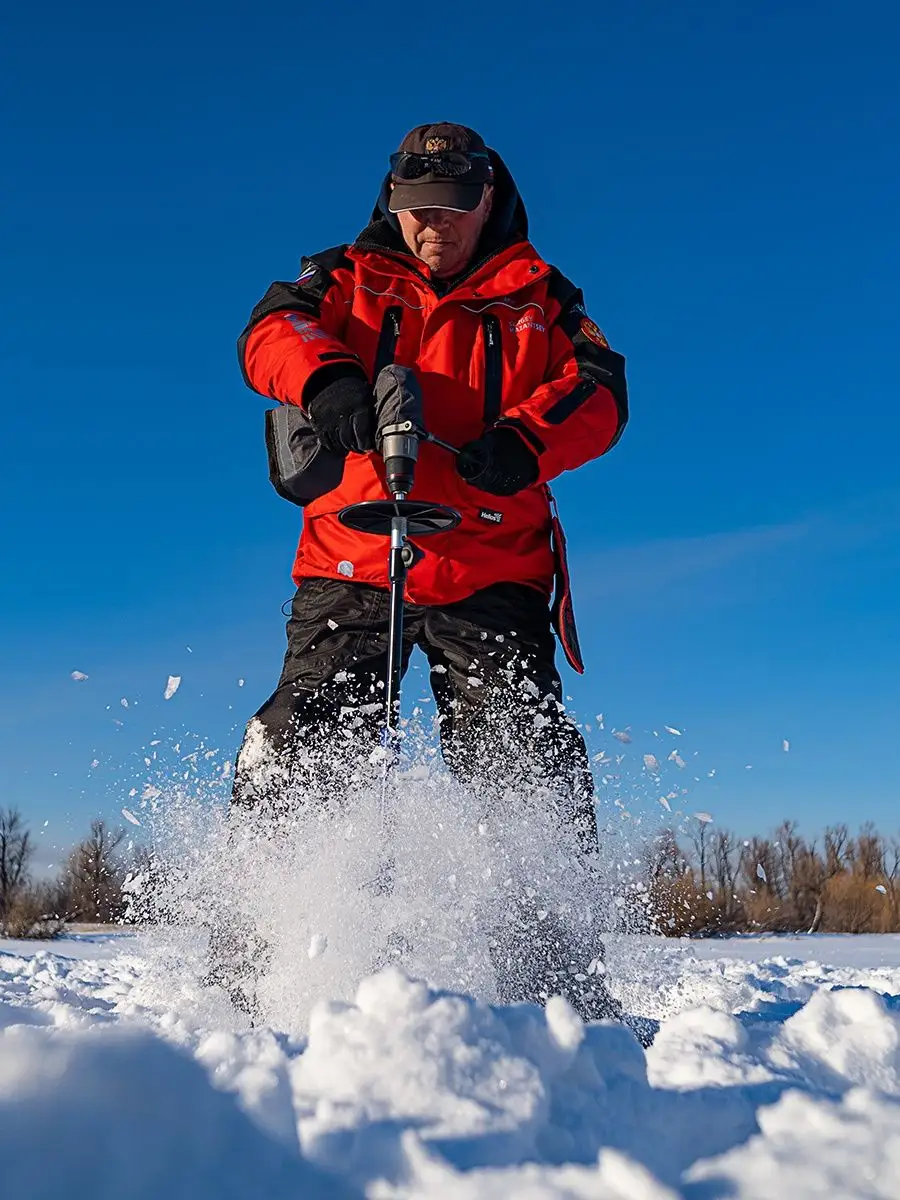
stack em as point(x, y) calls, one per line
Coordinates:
point(91, 886)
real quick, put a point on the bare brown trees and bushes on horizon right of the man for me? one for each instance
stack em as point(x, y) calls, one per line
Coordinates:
point(711, 883)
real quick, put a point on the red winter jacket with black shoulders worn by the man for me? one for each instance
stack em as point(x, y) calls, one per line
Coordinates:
point(507, 344)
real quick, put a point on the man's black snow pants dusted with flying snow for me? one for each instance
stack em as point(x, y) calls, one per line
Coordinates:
point(494, 679)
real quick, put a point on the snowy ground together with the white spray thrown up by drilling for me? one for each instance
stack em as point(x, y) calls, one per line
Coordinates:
point(381, 1065)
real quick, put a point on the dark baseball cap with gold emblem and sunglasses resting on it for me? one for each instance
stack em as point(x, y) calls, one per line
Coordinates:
point(453, 183)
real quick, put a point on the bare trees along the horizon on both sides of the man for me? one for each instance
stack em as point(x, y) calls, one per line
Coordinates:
point(706, 883)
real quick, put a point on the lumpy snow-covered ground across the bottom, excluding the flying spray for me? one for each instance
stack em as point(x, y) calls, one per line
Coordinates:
point(776, 1073)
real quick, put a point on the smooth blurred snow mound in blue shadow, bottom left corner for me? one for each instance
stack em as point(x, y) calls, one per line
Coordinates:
point(137, 1118)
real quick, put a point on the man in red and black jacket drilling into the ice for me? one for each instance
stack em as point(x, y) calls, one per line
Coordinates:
point(443, 281)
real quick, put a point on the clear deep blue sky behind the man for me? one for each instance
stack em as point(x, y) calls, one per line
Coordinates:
point(722, 181)
